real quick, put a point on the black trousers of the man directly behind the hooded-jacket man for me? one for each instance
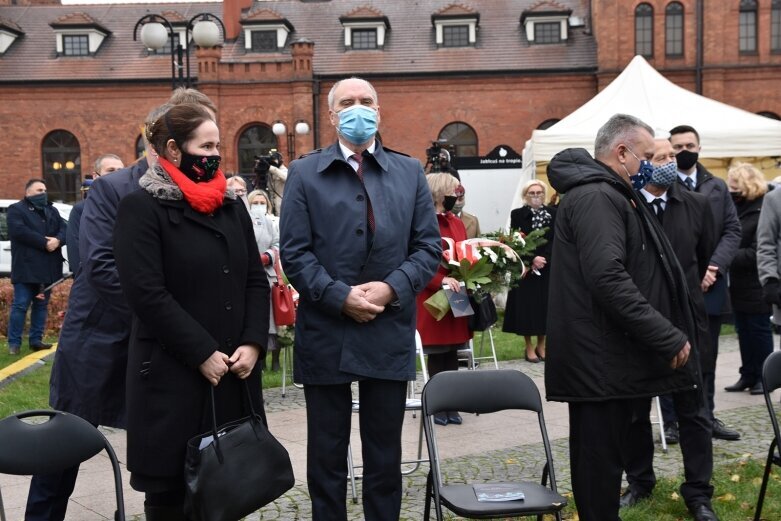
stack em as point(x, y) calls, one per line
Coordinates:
point(694, 425)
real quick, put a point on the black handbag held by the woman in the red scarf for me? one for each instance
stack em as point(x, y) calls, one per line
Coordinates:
point(233, 471)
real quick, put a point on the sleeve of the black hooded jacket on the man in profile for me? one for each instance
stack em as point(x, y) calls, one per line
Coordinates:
point(601, 246)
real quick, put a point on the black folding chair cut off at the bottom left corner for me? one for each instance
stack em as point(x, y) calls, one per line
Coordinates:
point(58, 443)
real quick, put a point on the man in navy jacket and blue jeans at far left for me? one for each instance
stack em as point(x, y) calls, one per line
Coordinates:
point(37, 233)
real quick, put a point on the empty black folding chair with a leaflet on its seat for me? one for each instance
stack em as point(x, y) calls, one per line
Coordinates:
point(485, 392)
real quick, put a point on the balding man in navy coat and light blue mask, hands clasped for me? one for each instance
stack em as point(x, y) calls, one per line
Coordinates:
point(359, 240)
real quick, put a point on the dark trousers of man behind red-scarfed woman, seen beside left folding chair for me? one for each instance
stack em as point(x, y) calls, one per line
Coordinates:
point(48, 497)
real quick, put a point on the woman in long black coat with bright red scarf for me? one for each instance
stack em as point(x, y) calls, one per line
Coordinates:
point(190, 269)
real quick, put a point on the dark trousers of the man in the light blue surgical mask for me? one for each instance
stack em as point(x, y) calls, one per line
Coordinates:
point(328, 414)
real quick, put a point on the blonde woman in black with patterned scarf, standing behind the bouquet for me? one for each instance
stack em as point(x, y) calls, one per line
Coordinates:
point(527, 305)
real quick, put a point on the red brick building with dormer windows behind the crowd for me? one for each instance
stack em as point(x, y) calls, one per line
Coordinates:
point(74, 84)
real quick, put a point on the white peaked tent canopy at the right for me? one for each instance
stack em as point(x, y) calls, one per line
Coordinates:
point(725, 131)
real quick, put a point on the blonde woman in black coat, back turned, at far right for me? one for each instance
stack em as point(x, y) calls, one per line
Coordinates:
point(748, 187)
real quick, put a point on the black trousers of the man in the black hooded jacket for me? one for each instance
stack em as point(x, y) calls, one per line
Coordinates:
point(598, 431)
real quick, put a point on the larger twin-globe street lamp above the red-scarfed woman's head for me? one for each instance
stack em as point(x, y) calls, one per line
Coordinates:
point(156, 30)
